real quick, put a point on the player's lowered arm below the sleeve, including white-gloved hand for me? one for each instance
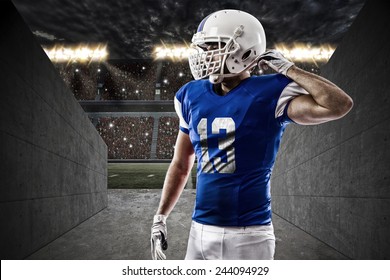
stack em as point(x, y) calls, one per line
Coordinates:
point(175, 180)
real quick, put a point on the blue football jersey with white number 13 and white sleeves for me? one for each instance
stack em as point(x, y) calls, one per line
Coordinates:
point(236, 138)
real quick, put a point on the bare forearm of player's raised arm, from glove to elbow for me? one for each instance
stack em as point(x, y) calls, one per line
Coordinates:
point(324, 92)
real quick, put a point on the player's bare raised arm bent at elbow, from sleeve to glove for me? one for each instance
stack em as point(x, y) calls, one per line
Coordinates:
point(325, 101)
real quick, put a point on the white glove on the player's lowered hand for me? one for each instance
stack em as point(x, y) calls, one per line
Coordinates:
point(158, 238)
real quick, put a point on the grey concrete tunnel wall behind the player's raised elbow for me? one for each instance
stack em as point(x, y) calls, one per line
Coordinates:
point(333, 180)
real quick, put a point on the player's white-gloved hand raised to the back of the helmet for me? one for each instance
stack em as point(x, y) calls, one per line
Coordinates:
point(275, 60)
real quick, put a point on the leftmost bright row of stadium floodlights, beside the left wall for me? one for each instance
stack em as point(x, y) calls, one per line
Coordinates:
point(80, 53)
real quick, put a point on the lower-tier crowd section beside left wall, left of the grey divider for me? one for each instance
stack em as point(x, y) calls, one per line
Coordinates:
point(126, 137)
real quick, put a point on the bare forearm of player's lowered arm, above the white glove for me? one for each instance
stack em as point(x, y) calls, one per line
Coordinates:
point(174, 184)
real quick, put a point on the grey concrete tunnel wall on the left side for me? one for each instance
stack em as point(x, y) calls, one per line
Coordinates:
point(53, 162)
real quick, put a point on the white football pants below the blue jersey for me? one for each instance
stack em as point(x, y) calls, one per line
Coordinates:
point(230, 243)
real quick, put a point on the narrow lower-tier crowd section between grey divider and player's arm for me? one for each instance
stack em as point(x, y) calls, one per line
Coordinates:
point(167, 133)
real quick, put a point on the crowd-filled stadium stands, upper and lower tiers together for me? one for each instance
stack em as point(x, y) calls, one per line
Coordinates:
point(129, 137)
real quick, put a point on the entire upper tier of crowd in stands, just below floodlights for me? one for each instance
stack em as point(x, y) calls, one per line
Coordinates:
point(132, 80)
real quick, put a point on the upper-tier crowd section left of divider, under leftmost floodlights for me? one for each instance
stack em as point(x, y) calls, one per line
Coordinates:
point(113, 80)
